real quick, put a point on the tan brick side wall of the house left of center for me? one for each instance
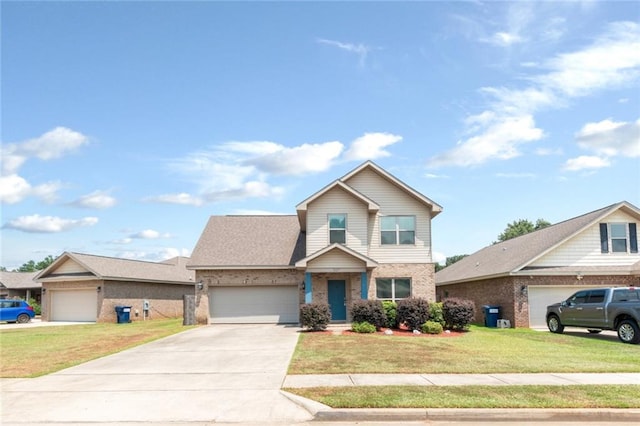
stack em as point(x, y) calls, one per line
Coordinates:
point(165, 300)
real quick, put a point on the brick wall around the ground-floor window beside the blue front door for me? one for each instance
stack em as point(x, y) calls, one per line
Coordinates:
point(422, 278)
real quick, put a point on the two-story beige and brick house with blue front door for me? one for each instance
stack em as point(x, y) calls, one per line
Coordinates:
point(366, 235)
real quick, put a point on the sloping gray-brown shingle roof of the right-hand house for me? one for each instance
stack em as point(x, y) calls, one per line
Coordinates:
point(514, 254)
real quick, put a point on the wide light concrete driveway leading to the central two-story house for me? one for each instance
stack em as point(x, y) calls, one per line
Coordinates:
point(217, 373)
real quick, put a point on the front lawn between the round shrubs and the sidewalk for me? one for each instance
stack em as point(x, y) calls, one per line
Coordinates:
point(481, 350)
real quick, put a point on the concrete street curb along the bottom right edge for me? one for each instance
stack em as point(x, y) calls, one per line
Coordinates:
point(476, 414)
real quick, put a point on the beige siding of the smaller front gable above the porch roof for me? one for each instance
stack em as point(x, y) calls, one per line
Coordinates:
point(336, 201)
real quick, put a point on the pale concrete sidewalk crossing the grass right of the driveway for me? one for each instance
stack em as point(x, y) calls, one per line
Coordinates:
point(498, 379)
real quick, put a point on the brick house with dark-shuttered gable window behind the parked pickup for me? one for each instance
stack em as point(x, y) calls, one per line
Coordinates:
point(525, 274)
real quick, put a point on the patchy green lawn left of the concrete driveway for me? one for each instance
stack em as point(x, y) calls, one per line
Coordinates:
point(32, 352)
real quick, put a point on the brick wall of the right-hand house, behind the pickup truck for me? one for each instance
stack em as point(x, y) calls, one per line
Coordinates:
point(511, 293)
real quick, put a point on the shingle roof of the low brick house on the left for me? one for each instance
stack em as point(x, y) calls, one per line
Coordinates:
point(124, 269)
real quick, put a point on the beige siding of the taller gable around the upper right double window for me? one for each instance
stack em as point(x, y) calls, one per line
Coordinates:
point(394, 201)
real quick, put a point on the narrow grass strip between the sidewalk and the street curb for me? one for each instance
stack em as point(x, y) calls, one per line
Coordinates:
point(530, 396)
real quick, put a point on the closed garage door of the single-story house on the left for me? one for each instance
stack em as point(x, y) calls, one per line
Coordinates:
point(74, 305)
